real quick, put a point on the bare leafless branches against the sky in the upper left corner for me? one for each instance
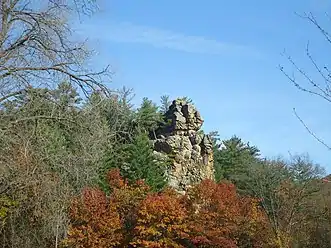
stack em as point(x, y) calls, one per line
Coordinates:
point(36, 48)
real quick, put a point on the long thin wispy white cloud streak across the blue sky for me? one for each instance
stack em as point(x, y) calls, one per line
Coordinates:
point(129, 33)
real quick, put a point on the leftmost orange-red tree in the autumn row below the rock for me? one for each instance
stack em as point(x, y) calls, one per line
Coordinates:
point(94, 222)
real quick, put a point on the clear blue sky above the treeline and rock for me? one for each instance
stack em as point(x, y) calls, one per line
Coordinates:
point(225, 56)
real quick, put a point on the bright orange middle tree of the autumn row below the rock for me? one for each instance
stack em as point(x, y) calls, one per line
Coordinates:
point(162, 221)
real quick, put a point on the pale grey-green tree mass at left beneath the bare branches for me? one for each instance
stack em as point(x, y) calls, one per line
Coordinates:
point(50, 149)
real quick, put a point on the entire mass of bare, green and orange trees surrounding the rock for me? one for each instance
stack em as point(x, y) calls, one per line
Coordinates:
point(78, 167)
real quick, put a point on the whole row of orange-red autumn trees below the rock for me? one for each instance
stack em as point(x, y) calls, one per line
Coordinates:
point(209, 215)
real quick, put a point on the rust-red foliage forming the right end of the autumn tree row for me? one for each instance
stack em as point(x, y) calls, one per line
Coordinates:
point(221, 218)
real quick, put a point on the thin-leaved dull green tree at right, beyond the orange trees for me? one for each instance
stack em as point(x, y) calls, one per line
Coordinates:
point(287, 189)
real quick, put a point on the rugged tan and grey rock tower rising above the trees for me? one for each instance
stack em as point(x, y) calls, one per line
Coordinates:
point(189, 150)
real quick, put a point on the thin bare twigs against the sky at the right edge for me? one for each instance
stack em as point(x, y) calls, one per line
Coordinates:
point(318, 85)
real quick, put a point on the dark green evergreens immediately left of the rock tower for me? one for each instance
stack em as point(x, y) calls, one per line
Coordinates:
point(134, 154)
